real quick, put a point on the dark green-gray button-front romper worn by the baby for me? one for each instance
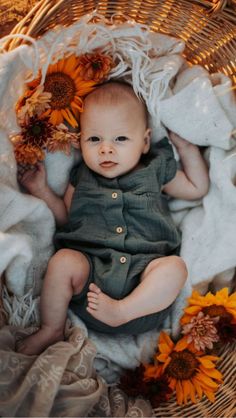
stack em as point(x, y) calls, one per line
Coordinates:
point(121, 225)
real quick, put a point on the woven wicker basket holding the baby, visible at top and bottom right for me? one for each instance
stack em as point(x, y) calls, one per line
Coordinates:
point(208, 28)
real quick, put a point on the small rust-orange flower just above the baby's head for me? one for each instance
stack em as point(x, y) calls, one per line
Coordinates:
point(95, 66)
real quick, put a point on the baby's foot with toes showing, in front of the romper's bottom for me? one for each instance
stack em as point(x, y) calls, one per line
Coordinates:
point(104, 308)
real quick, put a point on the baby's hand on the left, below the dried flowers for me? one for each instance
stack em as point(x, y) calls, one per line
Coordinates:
point(34, 180)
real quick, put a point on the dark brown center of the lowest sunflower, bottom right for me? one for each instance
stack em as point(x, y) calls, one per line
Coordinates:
point(183, 365)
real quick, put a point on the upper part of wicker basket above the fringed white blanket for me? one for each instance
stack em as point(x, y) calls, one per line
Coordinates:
point(207, 26)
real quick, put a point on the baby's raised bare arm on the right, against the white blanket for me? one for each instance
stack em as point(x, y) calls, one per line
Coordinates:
point(193, 182)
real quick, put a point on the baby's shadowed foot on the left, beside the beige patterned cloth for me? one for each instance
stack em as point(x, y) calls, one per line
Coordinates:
point(36, 343)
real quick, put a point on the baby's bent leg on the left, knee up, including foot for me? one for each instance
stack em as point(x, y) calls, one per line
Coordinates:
point(66, 275)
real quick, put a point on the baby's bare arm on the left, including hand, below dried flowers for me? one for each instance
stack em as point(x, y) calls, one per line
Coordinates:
point(35, 182)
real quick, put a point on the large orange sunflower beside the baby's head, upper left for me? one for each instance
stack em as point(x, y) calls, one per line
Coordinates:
point(67, 88)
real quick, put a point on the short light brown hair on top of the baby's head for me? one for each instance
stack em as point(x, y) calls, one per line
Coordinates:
point(115, 92)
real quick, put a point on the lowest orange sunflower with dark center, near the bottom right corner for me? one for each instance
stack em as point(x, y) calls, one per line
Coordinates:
point(188, 371)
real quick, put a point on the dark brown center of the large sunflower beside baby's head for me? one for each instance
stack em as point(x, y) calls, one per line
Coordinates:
point(62, 88)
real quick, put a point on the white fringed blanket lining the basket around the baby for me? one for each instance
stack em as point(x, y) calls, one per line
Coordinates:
point(198, 106)
